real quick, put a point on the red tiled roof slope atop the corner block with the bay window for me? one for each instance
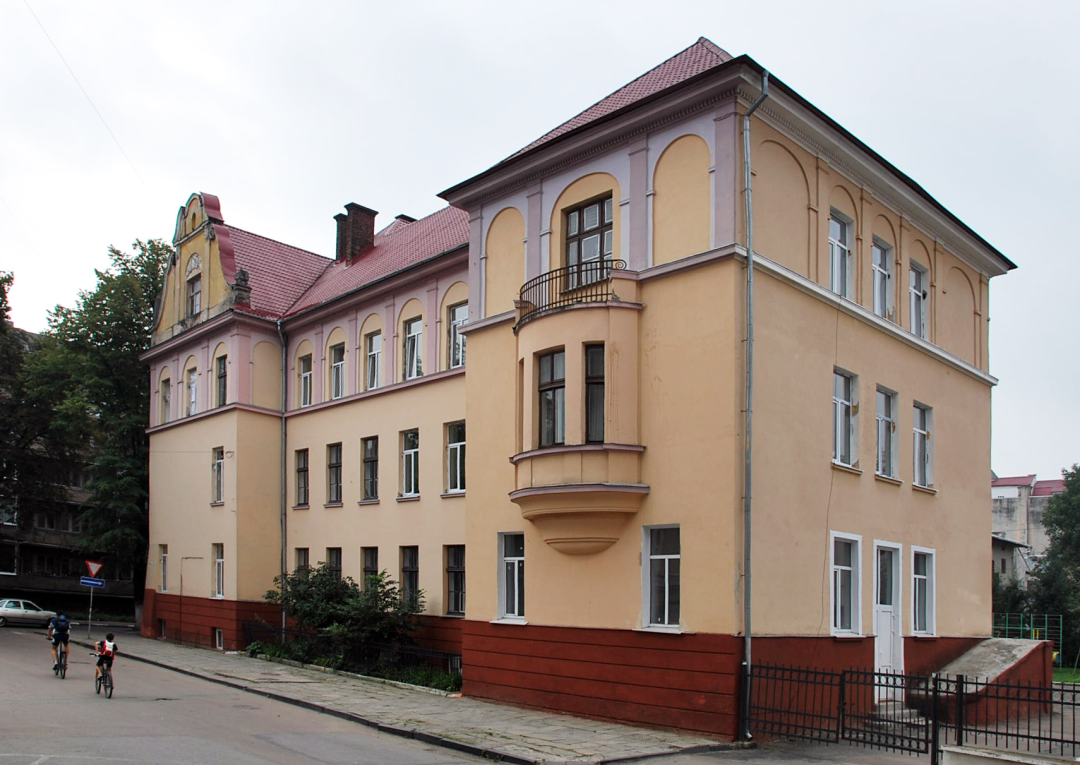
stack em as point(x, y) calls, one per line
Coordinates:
point(699, 58)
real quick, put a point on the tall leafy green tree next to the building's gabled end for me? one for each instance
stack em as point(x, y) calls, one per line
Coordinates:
point(88, 370)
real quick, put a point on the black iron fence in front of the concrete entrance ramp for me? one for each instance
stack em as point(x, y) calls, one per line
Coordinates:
point(914, 714)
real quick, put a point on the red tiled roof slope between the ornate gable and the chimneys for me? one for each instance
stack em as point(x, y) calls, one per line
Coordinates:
point(278, 274)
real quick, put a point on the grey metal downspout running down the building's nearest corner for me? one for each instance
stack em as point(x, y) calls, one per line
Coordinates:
point(749, 455)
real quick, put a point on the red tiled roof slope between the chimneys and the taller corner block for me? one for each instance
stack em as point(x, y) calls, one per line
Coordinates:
point(397, 247)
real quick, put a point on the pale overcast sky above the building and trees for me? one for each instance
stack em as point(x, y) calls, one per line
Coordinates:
point(112, 114)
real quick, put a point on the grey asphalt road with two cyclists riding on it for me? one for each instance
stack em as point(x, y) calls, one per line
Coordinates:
point(168, 719)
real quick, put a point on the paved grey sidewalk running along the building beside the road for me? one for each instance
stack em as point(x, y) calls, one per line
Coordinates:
point(498, 732)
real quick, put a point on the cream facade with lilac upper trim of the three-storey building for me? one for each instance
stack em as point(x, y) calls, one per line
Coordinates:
point(871, 331)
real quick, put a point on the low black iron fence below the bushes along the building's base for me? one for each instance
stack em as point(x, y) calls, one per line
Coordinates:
point(376, 660)
